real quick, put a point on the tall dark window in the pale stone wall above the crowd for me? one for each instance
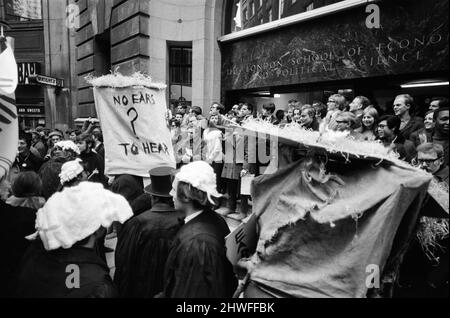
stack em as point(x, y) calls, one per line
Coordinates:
point(180, 74)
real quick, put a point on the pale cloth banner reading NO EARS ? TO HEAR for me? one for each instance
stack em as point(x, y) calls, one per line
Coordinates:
point(134, 125)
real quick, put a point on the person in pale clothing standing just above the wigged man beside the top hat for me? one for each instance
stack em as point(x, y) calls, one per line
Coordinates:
point(213, 138)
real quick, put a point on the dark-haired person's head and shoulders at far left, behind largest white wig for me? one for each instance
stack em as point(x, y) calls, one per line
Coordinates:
point(26, 190)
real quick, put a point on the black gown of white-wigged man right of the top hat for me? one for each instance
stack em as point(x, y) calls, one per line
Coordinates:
point(197, 266)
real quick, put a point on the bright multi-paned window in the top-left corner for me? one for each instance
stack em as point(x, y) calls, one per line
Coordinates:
point(22, 10)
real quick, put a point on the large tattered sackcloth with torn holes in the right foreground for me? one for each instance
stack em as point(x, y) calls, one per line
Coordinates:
point(329, 235)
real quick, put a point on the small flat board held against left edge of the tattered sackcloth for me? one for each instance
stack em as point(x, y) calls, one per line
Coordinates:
point(242, 241)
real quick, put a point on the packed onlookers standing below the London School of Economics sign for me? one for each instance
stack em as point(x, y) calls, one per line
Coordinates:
point(199, 137)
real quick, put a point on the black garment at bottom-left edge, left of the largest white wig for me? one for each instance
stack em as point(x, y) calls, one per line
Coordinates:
point(16, 223)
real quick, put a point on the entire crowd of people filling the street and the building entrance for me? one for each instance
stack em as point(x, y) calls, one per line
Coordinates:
point(170, 243)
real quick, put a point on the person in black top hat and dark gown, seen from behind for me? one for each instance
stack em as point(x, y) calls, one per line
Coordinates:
point(143, 243)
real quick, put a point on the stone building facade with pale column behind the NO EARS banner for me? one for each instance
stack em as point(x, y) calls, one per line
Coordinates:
point(138, 35)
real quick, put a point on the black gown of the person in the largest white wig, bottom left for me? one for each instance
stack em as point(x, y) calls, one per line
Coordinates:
point(47, 274)
